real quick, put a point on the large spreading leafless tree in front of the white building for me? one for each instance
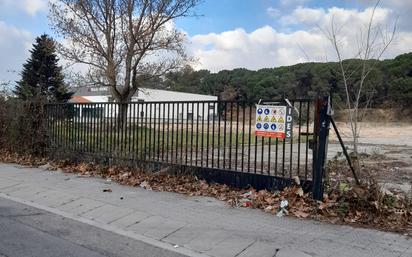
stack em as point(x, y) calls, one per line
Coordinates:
point(124, 42)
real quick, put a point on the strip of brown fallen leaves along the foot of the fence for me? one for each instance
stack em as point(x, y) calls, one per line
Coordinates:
point(343, 203)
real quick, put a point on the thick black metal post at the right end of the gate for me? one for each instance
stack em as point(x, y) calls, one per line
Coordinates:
point(322, 133)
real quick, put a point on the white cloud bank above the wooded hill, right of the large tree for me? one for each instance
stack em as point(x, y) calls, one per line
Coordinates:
point(268, 47)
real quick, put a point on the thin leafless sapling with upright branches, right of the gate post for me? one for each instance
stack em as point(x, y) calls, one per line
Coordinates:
point(372, 43)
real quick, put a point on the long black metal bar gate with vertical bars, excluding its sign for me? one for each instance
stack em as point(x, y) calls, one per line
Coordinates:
point(213, 135)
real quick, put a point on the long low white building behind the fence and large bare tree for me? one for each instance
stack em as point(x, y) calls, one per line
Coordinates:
point(146, 103)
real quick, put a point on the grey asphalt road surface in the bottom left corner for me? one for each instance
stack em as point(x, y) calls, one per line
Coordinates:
point(29, 232)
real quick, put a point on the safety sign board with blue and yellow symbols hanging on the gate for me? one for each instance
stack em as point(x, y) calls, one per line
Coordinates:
point(273, 121)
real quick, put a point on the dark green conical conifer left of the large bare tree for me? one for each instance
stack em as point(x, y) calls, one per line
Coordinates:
point(41, 77)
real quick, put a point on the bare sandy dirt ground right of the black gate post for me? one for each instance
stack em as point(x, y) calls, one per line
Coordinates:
point(387, 152)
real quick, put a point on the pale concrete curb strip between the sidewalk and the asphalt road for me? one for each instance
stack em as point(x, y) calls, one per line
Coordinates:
point(141, 238)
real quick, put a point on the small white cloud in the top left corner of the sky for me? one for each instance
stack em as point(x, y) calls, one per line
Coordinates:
point(31, 7)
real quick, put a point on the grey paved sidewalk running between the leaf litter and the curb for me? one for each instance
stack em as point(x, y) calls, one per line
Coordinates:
point(195, 226)
